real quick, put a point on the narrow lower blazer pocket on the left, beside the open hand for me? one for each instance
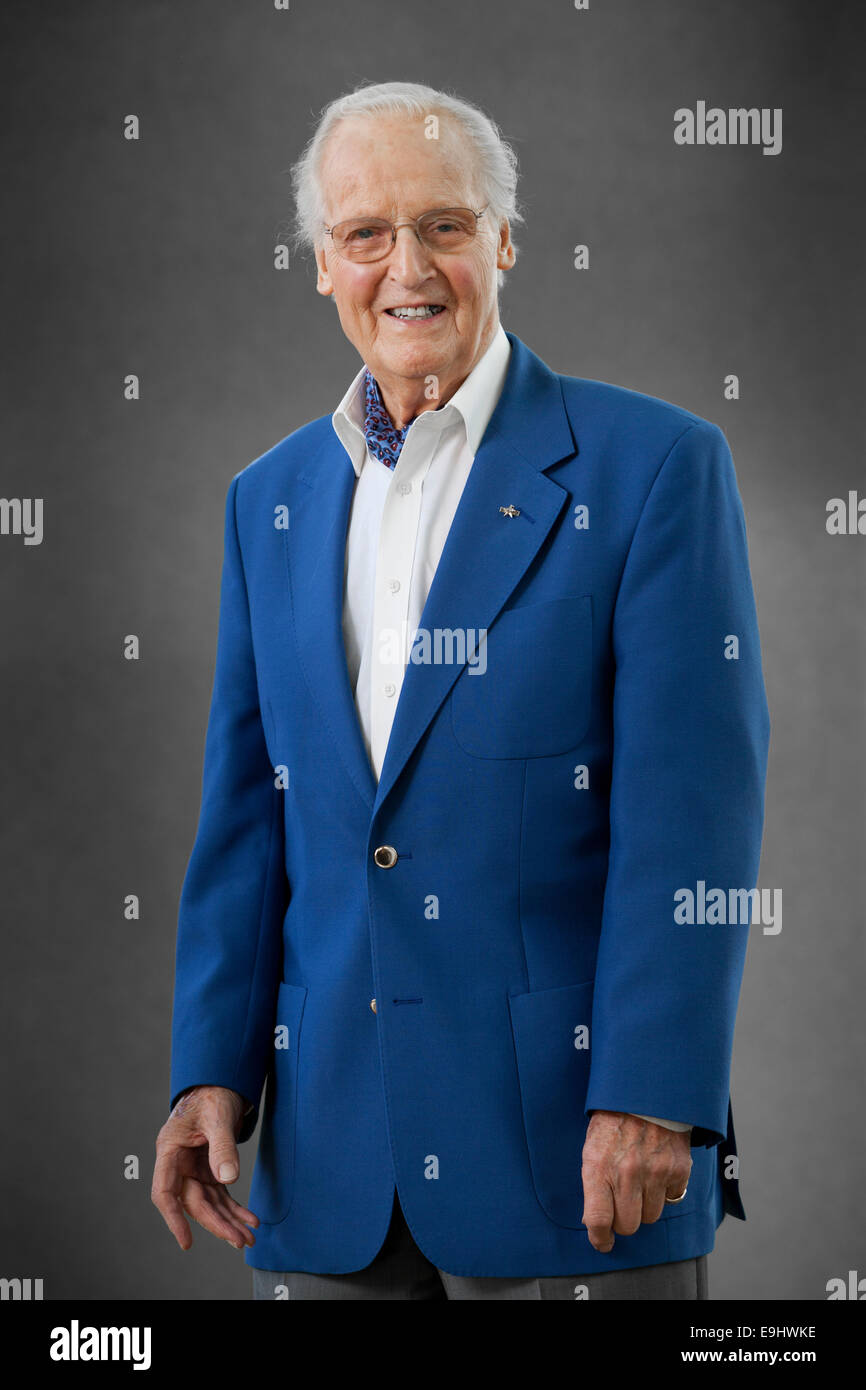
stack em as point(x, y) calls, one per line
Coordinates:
point(273, 1185)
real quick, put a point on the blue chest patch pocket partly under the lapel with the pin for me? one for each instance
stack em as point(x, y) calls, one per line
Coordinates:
point(529, 693)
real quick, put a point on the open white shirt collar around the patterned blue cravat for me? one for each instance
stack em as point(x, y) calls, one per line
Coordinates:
point(472, 405)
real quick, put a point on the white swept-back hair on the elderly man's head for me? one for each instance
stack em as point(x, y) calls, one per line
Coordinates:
point(497, 162)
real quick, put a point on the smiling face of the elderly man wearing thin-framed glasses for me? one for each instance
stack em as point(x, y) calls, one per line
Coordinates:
point(386, 167)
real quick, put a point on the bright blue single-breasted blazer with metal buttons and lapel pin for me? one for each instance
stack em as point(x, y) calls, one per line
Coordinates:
point(541, 814)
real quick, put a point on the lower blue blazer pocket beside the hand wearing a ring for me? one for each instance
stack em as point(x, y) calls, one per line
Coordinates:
point(553, 1035)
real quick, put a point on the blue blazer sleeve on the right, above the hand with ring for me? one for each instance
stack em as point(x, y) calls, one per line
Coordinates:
point(690, 753)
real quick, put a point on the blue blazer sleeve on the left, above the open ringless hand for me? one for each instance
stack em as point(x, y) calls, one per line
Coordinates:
point(236, 892)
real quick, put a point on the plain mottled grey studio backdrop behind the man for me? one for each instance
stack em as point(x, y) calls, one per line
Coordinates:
point(156, 258)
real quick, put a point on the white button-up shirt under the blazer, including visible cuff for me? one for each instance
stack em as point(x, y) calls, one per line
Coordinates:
point(398, 528)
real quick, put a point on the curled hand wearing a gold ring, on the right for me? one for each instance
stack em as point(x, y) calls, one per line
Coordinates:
point(630, 1168)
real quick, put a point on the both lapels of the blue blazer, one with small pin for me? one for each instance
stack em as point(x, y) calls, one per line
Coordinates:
point(484, 558)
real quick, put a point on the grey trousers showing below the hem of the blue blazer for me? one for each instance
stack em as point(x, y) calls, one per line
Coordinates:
point(401, 1271)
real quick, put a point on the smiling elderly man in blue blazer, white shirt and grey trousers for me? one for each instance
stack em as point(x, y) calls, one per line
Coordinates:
point(487, 703)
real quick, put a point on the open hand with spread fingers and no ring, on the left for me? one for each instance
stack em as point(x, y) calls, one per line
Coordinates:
point(197, 1156)
